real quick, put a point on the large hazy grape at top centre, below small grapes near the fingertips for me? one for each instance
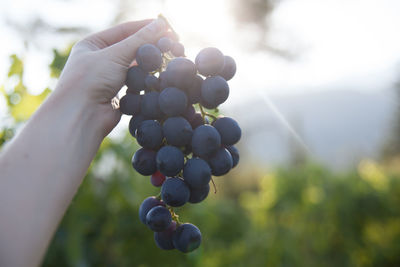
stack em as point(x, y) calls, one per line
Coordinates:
point(181, 73)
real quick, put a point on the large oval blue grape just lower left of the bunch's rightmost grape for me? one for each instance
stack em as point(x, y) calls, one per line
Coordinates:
point(205, 141)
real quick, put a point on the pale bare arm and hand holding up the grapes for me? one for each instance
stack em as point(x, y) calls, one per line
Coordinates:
point(43, 166)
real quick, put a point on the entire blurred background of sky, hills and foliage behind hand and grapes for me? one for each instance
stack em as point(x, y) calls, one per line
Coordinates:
point(317, 96)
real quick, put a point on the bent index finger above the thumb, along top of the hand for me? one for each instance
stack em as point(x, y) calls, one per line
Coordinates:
point(115, 34)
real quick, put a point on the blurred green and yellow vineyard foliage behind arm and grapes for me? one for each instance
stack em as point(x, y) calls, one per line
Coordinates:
point(302, 215)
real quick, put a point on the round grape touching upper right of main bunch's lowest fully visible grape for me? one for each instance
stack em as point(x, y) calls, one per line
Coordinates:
point(196, 172)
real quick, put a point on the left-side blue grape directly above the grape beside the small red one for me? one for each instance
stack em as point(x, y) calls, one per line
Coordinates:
point(150, 134)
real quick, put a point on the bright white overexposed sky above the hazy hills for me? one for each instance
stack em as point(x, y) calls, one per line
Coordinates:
point(348, 43)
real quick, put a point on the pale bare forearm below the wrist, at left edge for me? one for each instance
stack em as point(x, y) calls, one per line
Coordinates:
point(40, 171)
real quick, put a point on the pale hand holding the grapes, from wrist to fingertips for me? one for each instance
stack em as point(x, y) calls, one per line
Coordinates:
point(96, 69)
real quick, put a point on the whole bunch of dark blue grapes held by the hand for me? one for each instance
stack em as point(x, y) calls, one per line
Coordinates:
point(181, 147)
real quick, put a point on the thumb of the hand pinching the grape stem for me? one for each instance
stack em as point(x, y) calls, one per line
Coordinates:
point(124, 51)
